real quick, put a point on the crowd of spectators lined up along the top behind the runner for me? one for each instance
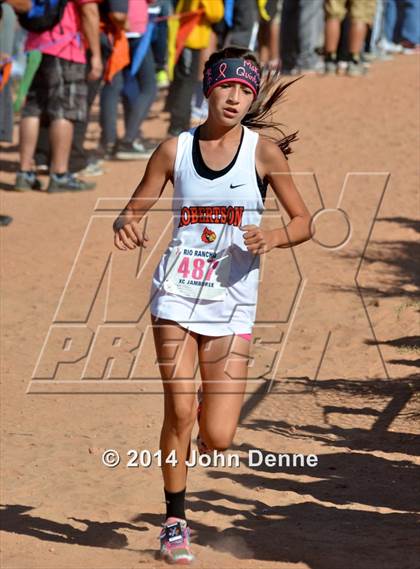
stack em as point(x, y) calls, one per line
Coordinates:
point(125, 51)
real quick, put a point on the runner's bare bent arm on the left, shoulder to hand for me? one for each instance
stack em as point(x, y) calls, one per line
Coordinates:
point(158, 171)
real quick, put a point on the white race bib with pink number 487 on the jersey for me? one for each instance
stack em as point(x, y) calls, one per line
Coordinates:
point(197, 273)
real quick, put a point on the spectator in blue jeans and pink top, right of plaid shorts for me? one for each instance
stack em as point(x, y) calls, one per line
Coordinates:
point(139, 92)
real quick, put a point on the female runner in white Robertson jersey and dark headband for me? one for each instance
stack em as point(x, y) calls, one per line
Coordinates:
point(204, 290)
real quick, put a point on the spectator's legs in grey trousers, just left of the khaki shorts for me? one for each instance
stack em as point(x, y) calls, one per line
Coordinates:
point(301, 27)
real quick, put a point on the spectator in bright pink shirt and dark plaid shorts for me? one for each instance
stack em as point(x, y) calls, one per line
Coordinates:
point(59, 93)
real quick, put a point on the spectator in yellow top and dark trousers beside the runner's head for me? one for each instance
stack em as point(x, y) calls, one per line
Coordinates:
point(186, 69)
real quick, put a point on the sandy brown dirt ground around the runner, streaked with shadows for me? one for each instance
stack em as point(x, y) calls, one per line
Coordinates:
point(333, 368)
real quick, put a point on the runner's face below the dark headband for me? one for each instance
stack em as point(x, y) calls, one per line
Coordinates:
point(230, 102)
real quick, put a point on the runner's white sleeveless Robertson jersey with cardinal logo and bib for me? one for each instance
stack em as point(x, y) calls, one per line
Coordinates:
point(207, 280)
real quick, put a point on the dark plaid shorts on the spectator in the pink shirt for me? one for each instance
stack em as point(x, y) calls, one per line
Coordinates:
point(58, 90)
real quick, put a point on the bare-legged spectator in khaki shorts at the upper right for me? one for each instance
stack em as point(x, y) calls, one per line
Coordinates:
point(361, 14)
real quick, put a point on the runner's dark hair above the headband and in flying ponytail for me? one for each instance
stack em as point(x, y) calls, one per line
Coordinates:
point(272, 90)
